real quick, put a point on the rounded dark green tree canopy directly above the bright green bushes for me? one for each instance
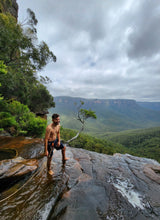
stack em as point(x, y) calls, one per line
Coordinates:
point(26, 89)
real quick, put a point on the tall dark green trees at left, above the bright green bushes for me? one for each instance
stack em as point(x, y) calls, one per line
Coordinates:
point(23, 56)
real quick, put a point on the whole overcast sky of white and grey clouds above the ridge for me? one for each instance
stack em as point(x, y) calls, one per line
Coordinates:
point(105, 49)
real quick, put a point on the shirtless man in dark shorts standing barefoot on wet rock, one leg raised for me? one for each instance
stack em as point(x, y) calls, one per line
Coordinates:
point(52, 140)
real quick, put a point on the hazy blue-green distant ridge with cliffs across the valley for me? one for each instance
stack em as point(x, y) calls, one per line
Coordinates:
point(112, 114)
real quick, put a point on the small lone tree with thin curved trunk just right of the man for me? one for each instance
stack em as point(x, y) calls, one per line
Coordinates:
point(82, 116)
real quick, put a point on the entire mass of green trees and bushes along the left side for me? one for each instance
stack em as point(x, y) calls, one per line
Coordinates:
point(21, 56)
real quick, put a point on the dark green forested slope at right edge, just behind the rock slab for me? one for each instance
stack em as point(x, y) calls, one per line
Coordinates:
point(140, 142)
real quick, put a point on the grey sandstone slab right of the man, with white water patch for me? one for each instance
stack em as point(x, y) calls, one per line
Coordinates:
point(109, 187)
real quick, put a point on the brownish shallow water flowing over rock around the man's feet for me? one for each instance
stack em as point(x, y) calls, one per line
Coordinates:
point(33, 197)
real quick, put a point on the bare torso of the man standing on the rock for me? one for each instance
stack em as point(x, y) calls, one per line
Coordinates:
point(52, 132)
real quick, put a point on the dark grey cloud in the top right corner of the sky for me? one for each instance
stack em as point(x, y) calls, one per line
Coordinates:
point(144, 37)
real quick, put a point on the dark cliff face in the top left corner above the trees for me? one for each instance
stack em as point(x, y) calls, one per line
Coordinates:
point(10, 6)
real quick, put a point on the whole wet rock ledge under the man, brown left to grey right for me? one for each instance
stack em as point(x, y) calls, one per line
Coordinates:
point(88, 186)
